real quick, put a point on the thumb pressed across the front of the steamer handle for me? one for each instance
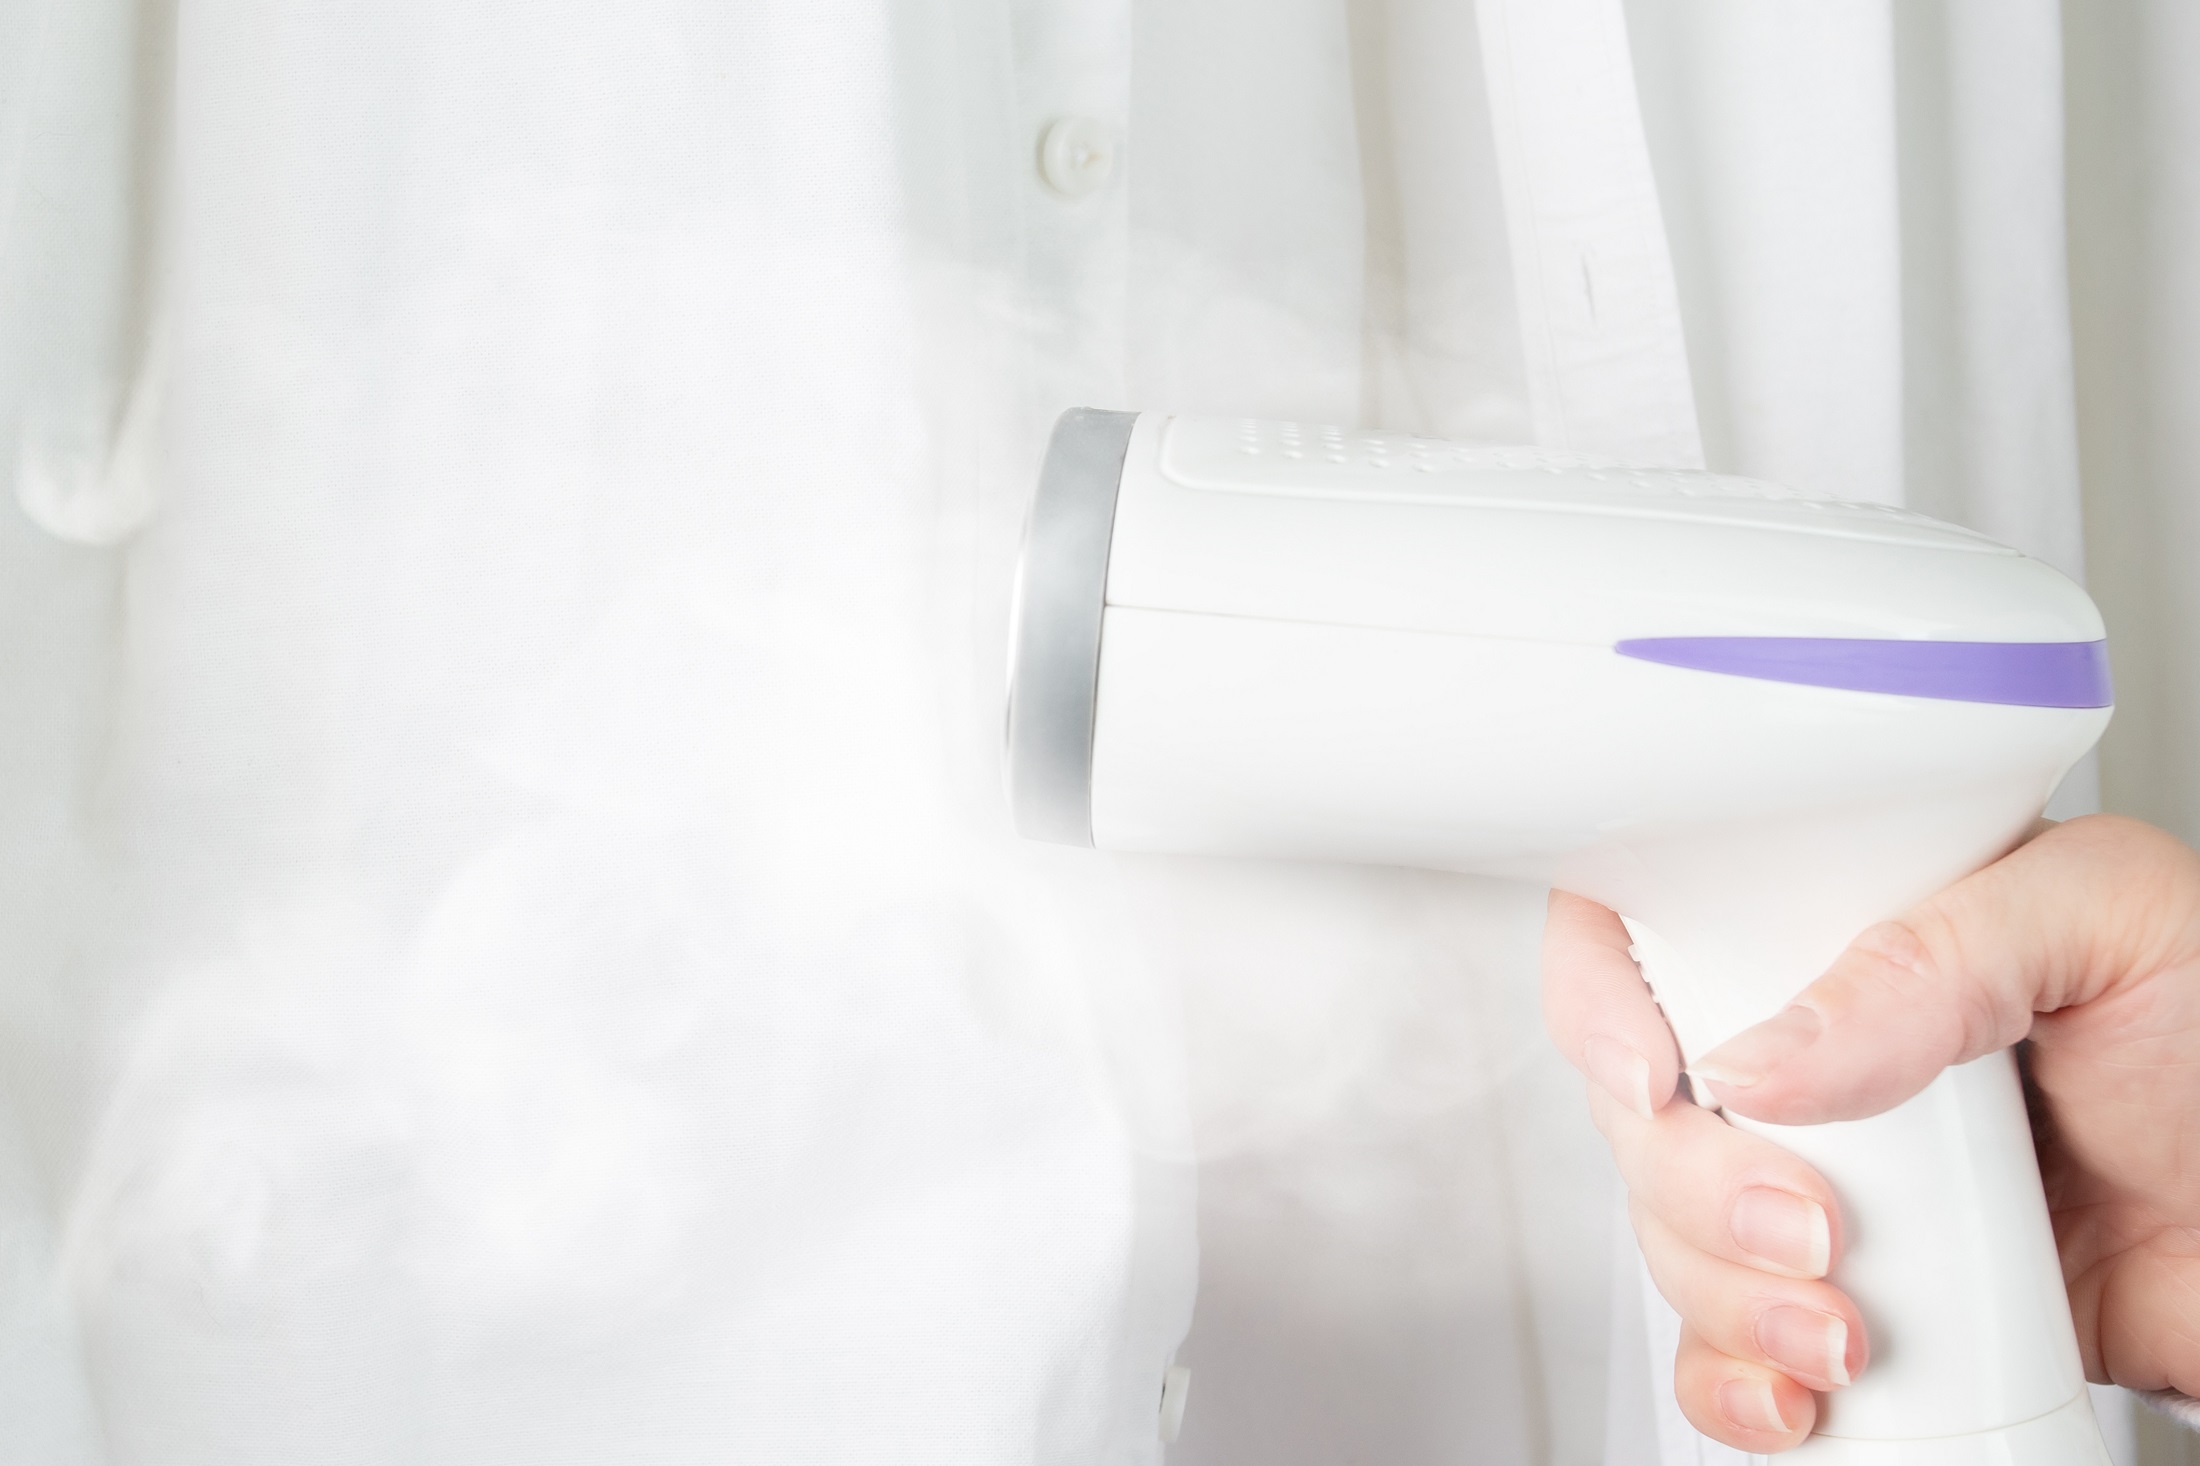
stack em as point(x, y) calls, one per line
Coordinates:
point(2076, 915)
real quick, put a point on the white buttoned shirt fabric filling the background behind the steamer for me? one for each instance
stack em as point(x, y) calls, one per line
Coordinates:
point(511, 948)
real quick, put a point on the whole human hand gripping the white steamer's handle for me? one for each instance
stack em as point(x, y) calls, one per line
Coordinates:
point(2089, 943)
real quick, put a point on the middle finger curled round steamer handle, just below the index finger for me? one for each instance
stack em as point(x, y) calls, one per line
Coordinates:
point(1724, 1192)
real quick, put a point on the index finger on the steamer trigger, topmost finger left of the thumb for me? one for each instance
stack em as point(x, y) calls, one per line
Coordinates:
point(1598, 1007)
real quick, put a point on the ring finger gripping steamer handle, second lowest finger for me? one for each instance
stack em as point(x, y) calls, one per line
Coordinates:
point(1803, 1328)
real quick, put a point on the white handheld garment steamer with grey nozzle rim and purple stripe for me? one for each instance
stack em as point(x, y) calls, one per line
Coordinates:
point(1750, 721)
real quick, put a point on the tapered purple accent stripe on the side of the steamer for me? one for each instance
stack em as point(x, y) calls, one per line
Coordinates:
point(2010, 672)
